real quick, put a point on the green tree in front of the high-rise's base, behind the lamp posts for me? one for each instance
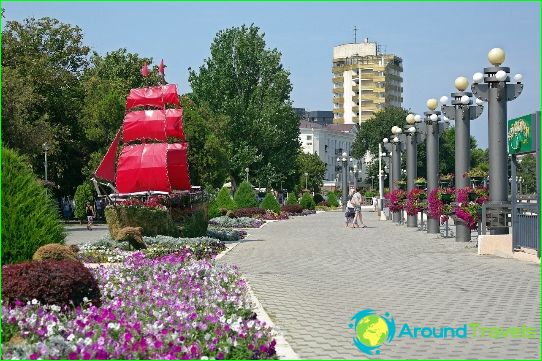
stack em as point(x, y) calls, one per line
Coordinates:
point(371, 132)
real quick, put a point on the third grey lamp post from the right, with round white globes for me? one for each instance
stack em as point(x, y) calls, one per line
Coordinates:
point(432, 145)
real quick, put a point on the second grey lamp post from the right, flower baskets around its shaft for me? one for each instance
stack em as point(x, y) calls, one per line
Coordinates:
point(462, 112)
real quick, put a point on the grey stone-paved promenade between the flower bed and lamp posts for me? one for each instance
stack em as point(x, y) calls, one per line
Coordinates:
point(311, 275)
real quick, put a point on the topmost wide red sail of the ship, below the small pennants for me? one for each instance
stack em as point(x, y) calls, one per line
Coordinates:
point(157, 96)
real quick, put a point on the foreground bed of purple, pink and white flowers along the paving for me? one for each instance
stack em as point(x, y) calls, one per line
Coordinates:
point(172, 307)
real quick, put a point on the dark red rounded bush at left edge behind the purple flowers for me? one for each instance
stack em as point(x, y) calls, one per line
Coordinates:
point(50, 282)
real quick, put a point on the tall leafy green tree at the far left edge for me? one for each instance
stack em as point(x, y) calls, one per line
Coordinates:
point(42, 63)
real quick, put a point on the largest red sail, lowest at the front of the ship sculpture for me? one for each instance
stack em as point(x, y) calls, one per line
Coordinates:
point(143, 167)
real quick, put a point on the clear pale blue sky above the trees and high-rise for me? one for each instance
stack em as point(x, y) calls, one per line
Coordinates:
point(437, 41)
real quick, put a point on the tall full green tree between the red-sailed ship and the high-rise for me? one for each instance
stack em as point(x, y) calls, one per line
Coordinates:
point(245, 81)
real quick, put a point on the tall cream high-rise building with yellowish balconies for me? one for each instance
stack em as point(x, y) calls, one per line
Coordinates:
point(365, 80)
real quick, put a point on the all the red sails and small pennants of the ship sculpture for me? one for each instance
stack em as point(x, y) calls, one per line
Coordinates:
point(154, 152)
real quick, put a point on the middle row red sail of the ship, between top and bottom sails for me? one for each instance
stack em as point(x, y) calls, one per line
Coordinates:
point(153, 124)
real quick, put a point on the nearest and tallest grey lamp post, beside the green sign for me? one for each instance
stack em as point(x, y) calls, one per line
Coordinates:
point(497, 92)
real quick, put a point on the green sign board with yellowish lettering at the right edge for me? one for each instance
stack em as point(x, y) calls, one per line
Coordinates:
point(521, 134)
